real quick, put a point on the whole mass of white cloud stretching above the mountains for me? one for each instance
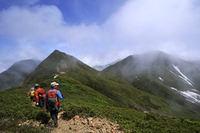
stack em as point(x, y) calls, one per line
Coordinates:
point(138, 26)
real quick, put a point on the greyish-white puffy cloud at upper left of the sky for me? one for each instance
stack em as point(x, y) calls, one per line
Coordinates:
point(30, 22)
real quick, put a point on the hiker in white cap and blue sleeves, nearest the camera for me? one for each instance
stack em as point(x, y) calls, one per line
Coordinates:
point(52, 102)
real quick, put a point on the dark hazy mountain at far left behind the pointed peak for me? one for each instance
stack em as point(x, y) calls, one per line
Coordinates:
point(16, 74)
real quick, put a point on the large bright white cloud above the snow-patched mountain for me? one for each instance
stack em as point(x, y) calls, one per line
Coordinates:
point(147, 25)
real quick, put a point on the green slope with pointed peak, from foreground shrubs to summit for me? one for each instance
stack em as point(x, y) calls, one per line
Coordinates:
point(88, 92)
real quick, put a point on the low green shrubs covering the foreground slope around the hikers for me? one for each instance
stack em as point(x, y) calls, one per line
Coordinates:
point(83, 100)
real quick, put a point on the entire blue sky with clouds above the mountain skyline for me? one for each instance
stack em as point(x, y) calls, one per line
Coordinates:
point(97, 32)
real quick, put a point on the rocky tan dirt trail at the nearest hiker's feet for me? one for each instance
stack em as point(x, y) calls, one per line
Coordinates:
point(84, 125)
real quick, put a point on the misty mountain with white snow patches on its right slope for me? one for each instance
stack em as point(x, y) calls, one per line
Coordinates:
point(161, 74)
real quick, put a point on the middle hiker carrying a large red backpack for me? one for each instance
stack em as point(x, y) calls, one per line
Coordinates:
point(39, 95)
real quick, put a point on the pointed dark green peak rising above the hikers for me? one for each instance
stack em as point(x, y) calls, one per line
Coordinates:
point(59, 63)
